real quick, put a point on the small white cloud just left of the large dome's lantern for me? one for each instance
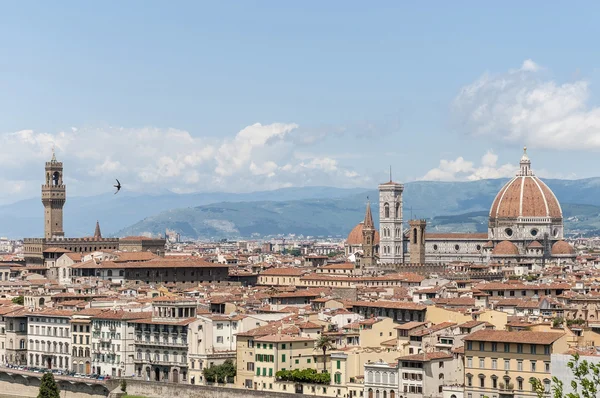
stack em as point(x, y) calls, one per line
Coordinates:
point(465, 170)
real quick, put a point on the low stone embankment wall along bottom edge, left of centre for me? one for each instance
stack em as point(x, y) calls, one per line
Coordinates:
point(159, 390)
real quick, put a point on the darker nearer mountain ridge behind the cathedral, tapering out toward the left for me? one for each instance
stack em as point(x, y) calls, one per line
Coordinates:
point(449, 206)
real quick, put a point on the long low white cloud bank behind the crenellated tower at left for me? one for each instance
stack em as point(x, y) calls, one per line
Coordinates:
point(150, 159)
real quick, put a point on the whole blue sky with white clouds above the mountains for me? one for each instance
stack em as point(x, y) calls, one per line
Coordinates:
point(244, 96)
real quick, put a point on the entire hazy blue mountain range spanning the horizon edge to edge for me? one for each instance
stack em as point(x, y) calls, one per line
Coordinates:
point(314, 211)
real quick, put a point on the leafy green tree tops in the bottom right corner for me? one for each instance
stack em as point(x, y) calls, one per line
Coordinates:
point(585, 385)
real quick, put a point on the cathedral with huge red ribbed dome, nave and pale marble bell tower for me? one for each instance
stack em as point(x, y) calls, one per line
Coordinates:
point(525, 227)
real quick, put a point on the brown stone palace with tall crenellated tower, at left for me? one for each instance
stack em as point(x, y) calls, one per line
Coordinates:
point(54, 196)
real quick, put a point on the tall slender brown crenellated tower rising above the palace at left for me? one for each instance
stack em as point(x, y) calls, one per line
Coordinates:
point(54, 196)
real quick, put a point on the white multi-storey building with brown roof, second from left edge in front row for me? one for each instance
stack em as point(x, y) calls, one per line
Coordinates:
point(49, 339)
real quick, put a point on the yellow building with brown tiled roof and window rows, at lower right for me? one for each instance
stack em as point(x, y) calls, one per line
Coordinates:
point(499, 364)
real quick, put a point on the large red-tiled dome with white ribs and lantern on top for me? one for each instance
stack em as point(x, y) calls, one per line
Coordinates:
point(525, 196)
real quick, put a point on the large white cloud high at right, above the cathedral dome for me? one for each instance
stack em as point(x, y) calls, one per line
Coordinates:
point(522, 107)
